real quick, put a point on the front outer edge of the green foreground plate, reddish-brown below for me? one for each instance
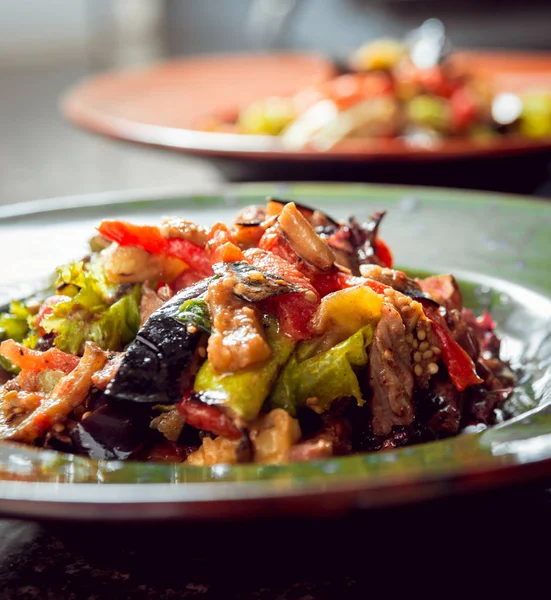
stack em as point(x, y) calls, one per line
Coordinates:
point(322, 499)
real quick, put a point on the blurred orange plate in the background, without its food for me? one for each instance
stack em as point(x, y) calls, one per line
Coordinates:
point(162, 106)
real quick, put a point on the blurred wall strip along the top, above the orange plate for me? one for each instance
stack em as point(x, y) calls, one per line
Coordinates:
point(62, 31)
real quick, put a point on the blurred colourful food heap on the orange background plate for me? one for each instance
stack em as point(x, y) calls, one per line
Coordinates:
point(408, 89)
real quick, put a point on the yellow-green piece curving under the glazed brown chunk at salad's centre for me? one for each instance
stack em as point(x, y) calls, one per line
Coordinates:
point(245, 391)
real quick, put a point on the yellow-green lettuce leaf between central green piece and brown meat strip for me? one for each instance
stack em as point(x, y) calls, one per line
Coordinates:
point(322, 378)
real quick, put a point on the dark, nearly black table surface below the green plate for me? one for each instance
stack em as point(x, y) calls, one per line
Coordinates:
point(458, 544)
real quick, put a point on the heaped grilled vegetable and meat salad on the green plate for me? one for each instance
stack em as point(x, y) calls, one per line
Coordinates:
point(284, 336)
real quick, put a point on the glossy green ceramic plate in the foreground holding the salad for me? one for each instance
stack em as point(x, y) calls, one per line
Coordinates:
point(498, 246)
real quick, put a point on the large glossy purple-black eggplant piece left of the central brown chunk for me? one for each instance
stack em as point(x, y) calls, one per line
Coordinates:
point(151, 370)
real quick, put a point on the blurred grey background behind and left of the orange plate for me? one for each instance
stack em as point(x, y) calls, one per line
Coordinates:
point(47, 45)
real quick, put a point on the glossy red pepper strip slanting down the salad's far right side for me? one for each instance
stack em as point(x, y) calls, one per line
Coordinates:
point(461, 368)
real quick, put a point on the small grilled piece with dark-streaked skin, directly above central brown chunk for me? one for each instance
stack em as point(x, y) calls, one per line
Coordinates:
point(255, 285)
